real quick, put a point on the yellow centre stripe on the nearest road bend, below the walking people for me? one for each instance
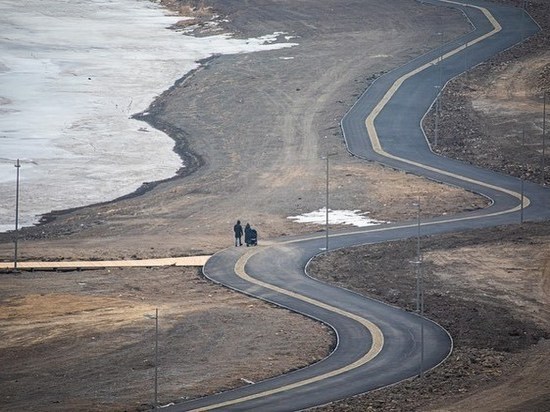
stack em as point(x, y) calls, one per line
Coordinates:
point(377, 337)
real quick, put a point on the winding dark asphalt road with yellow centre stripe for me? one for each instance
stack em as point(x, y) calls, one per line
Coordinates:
point(379, 345)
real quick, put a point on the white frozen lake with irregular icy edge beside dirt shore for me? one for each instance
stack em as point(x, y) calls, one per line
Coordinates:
point(72, 73)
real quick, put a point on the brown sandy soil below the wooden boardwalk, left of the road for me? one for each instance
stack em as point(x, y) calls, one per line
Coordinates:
point(82, 341)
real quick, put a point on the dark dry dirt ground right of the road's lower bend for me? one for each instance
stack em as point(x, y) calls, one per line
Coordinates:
point(490, 290)
